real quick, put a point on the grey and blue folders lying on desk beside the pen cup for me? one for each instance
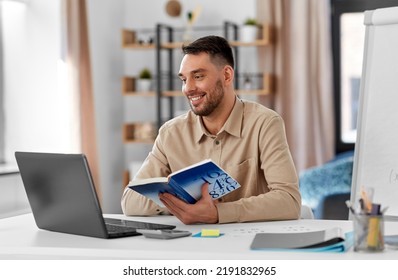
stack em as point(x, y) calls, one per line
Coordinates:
point(326, 240)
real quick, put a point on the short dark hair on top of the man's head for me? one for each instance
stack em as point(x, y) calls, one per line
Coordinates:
point(217, 47)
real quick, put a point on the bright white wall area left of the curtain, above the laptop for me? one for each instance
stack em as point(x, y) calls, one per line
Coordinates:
point(31, 51)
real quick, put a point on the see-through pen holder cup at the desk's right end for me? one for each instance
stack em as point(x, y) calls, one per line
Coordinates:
point(368, 233)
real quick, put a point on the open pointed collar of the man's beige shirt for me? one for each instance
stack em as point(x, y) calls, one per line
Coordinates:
point(233, 125)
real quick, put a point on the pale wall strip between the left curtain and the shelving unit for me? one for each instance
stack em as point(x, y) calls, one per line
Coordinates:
point(105, 18)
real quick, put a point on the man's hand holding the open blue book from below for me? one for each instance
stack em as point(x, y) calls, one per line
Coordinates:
point(203, 211)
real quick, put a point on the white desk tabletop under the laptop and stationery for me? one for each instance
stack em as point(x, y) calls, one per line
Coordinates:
point(21, 239)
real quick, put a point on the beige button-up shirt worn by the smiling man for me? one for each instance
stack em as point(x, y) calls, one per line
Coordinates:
point(251, 147)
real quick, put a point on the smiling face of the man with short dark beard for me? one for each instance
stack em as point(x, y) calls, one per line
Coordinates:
point(201, 83)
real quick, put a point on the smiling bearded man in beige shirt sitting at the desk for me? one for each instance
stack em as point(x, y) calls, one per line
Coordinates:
point(245, 138)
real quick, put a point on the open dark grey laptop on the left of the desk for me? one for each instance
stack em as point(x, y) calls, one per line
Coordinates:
point(62, 197)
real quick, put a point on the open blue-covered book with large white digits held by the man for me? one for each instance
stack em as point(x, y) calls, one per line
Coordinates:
point(186, 183)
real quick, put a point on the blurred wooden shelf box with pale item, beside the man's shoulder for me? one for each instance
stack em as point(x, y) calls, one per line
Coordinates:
point(139, 133)
